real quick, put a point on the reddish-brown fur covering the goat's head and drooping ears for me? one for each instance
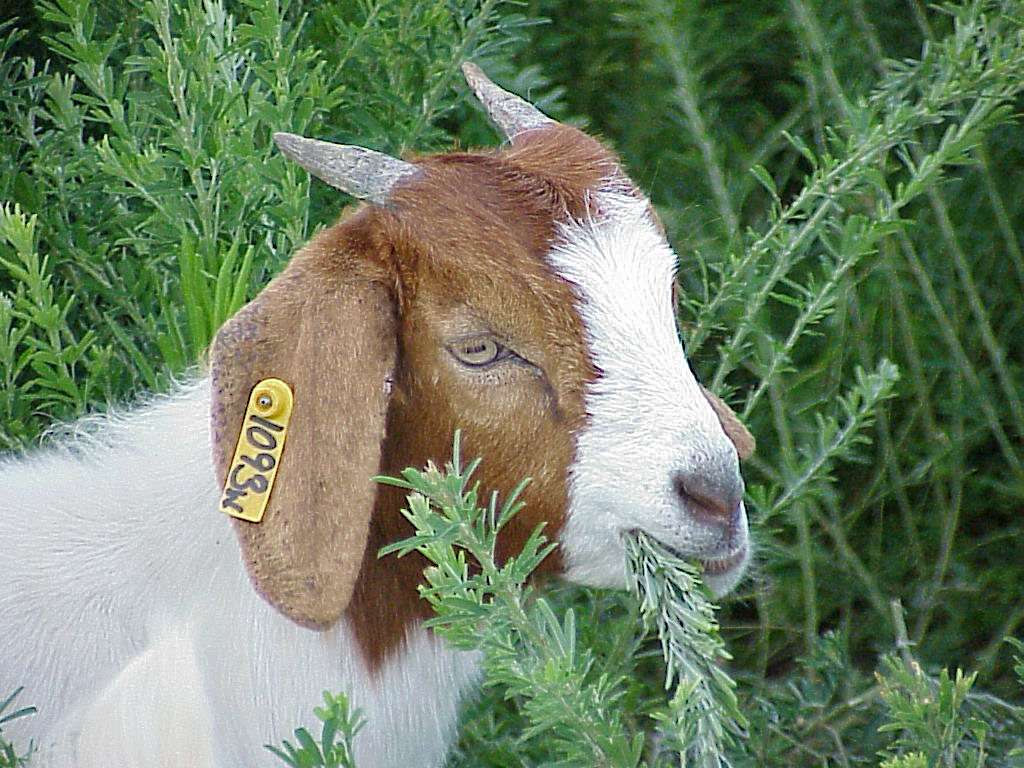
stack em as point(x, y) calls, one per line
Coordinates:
point(371, 306)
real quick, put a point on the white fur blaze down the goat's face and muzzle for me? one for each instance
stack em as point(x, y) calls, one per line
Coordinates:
point(649, 418)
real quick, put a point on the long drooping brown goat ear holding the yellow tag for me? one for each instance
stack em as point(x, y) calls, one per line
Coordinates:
point(331, 335)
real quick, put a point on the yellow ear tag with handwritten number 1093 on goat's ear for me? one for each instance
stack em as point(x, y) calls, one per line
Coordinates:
point(258, 455)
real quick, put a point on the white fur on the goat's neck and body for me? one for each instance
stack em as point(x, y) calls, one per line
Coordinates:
point(115, 558)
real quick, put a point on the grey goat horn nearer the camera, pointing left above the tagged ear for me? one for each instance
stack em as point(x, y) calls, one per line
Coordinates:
point(363, 174)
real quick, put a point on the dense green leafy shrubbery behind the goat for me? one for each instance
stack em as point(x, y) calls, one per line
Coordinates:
point(841, 180)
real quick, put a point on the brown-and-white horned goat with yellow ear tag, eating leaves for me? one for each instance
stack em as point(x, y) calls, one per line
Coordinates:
point(523, 295)
